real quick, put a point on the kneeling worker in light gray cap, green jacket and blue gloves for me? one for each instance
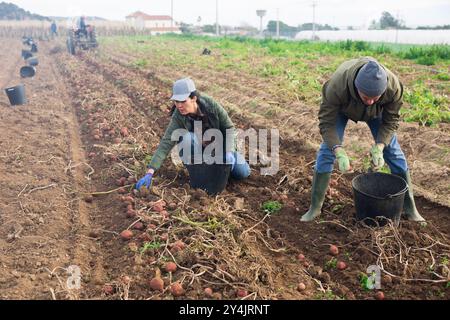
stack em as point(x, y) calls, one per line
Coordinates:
point(194, 110)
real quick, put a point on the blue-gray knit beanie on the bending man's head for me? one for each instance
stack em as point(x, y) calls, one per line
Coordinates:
point(371, 79)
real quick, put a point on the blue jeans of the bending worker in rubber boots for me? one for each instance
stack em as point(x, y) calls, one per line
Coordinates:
point(393, 154)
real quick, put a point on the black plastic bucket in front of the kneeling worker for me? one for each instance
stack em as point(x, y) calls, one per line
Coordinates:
point(212, 178)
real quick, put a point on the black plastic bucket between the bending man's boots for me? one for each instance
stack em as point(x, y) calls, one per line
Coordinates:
point(379, 195)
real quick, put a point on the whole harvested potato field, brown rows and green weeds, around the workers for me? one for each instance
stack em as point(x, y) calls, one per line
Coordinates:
point(72, 227)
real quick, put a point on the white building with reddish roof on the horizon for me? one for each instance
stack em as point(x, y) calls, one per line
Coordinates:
point(156, 24)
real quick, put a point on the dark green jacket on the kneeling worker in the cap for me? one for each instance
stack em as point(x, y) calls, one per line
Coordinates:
point(218, 119)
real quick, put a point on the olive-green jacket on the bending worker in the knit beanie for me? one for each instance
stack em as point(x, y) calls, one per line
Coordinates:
point(339, 95)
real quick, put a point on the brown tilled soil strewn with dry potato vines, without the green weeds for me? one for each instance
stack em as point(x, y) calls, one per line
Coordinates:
point(69, 141)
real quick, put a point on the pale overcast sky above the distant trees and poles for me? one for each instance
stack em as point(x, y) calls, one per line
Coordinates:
point(236, 12)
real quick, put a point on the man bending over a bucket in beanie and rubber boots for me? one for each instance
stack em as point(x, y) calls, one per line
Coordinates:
point(360, 90)
